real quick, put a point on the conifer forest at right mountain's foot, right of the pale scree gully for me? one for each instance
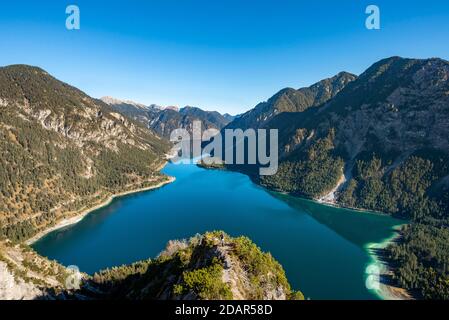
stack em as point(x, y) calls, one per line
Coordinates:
point(404, 191)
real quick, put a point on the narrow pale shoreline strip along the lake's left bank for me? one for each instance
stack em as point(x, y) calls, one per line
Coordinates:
point(79, 217)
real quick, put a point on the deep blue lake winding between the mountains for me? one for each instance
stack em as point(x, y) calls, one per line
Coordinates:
point(321, 248)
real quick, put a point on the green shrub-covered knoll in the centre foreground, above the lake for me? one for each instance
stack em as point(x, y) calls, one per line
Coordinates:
point(194, 270)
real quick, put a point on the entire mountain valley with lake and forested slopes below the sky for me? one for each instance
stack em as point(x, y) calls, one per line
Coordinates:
point(81, 178)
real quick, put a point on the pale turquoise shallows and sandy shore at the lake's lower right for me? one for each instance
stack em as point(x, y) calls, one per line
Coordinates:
point(386, 290)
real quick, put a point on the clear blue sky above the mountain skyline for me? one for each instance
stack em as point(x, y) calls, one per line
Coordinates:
point(226, 55)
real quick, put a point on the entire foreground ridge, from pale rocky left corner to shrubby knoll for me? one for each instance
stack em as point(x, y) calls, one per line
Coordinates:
point(204, 267)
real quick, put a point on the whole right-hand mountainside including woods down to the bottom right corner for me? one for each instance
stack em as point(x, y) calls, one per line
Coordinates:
point(382, 143)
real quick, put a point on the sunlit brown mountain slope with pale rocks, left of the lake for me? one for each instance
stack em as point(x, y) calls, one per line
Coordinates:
point(63, 151)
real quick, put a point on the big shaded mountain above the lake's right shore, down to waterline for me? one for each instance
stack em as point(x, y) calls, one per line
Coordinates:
point(396, 113)
